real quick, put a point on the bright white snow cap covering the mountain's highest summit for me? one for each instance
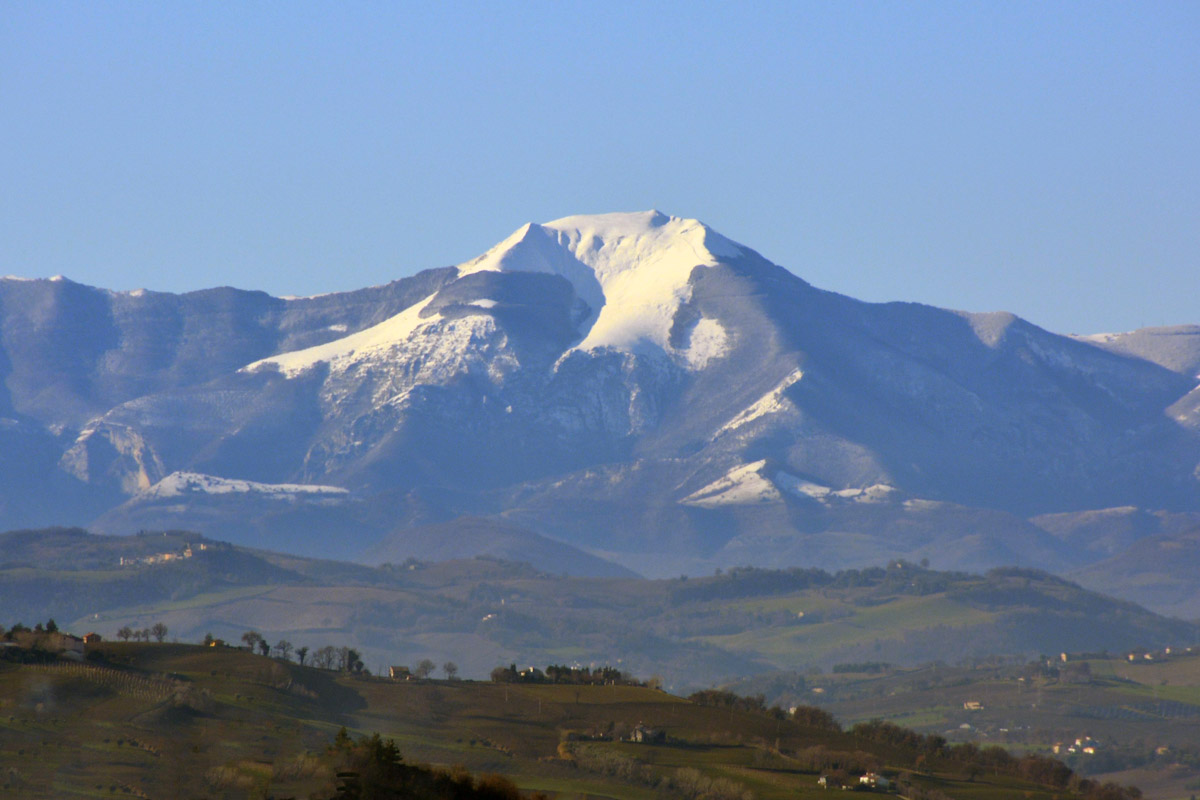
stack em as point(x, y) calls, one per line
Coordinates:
point(632, 269)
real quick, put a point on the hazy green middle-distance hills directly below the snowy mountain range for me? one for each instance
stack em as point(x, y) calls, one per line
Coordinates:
point(482, 613)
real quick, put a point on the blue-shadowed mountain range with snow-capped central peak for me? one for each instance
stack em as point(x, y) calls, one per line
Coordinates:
point(633, 386)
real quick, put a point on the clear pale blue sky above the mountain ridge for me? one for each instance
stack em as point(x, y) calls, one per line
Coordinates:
point(1037, 158)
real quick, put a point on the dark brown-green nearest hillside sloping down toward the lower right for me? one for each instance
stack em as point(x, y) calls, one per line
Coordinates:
point(161, 720)
